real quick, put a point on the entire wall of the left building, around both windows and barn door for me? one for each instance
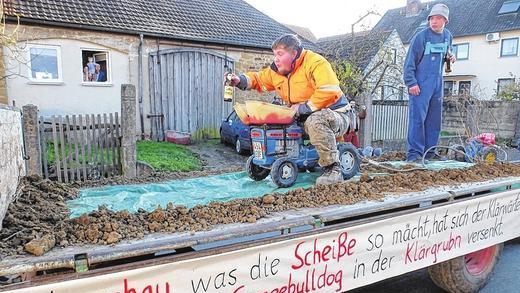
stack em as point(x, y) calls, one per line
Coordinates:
point(73, 97)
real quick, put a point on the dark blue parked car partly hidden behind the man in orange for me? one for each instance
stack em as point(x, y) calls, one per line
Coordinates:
point(236, 133)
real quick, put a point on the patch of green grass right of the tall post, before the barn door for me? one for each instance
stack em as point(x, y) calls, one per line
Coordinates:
point(165, 156)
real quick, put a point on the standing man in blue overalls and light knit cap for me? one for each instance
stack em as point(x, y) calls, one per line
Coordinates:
point(423, 70)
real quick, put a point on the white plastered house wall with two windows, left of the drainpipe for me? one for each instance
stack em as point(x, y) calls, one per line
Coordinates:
point(72, 96)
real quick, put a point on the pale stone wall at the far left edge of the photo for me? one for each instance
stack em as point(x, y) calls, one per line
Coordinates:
point(12, 165)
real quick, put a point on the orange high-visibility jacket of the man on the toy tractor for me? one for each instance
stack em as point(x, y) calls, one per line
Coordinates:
point(312, 80)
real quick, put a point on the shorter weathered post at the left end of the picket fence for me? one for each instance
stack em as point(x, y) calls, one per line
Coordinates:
point(31, 135)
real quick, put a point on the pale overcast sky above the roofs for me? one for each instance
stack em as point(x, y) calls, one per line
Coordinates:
point(325, 17)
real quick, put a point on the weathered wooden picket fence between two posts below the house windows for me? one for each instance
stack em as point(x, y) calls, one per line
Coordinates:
point(80, 147)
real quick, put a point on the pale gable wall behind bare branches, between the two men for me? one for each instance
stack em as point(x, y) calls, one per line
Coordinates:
point(393, 76)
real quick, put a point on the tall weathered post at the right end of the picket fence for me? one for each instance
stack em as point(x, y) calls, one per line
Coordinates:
point(128, 124)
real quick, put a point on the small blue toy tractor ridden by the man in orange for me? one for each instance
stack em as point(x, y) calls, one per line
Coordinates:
point(279, 151)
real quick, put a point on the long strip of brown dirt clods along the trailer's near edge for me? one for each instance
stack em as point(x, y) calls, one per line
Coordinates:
point(41, 213)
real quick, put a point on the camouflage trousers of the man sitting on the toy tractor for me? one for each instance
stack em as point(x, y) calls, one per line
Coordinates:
point(323, 127)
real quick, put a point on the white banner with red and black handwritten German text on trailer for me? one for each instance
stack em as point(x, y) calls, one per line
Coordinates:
point(327, 262)
